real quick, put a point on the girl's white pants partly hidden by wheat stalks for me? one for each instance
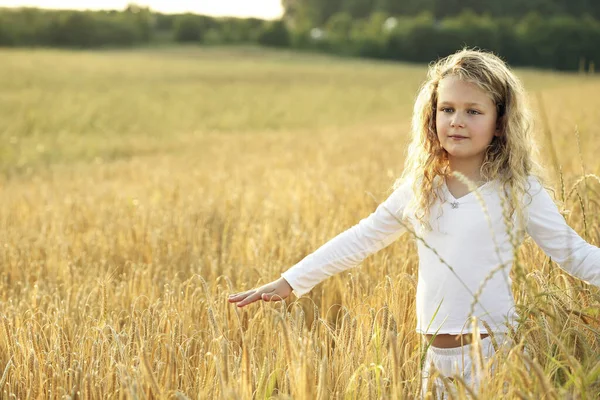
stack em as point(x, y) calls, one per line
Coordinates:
point(457, 361)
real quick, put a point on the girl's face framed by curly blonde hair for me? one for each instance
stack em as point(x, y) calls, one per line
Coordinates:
point(466, 120)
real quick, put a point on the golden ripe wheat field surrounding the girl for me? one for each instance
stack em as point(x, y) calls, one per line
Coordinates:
point(140, 187)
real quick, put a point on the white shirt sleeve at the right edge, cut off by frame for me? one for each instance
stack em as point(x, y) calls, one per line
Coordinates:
point(550, 231)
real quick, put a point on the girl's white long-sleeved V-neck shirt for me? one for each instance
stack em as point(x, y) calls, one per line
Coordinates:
point(464, 241)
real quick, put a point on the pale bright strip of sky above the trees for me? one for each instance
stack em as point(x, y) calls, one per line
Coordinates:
point(266, 9)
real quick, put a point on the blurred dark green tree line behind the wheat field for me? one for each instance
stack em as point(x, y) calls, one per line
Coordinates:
point(548, 37)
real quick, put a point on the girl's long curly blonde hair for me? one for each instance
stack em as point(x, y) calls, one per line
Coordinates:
point(510, 157)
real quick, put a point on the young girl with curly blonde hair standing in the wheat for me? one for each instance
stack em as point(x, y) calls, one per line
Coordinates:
point(469, 192)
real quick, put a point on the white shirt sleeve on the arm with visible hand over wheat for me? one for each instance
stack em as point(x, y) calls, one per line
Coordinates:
point(350, 247)
